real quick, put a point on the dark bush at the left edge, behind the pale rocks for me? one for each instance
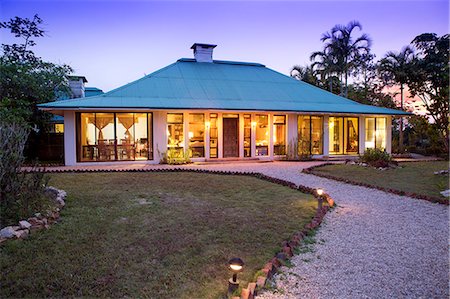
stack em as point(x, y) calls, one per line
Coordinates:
point(21, 194)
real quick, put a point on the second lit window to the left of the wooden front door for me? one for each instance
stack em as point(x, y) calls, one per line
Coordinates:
point(197, 135)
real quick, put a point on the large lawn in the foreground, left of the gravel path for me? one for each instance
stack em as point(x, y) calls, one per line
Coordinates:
point(154, 235)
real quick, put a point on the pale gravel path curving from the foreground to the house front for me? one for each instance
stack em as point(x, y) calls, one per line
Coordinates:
point(373, 245)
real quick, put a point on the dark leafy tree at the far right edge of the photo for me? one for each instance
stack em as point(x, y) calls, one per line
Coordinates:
point(428, 79)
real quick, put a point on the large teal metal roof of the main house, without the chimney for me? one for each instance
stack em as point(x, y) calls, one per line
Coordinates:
point(221, 85)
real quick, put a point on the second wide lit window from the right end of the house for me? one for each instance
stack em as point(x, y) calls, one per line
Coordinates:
point(343, 135)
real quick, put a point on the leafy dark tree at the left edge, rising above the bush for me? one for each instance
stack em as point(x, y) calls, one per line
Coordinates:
point(26, 80)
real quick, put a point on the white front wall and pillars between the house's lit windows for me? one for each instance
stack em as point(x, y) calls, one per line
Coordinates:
point(159, 135)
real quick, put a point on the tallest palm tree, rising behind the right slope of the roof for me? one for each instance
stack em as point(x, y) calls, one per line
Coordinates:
point(345, 49)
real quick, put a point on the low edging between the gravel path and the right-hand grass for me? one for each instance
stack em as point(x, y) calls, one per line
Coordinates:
point(433, 199)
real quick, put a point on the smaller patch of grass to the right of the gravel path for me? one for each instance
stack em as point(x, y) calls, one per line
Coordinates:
point(416, 177)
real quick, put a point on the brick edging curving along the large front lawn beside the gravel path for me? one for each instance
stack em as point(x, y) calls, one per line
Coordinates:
point(287, 246)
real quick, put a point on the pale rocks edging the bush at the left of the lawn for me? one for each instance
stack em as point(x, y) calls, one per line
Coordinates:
point(38, 221)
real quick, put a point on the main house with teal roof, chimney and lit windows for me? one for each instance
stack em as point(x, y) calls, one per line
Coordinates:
point(215, 109)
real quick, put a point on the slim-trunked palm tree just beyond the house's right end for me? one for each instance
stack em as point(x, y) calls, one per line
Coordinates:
point(394, 69)
